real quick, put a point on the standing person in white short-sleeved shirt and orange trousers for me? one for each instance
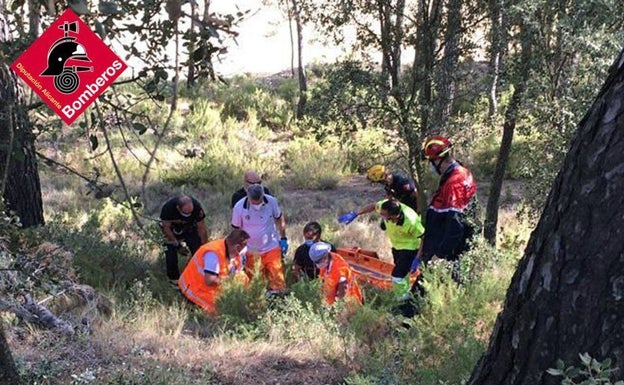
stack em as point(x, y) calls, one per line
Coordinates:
point(260, 216)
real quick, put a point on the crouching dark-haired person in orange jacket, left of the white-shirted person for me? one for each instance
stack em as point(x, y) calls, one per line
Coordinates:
point(213, 263)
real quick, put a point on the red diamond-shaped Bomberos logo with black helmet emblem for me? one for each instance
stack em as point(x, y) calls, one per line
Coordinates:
point(68, 66)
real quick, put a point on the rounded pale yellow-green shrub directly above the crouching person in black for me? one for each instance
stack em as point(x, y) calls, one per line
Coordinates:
point(314, 165)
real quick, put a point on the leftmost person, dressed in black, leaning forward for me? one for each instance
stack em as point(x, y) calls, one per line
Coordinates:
point(182, 219)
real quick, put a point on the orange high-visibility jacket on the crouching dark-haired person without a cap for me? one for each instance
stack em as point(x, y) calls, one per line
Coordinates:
point(192, 282)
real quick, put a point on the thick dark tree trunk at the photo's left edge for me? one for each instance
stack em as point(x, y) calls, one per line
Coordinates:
point(18, 166)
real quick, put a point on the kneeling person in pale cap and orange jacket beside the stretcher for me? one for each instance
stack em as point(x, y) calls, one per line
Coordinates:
point(336, 274)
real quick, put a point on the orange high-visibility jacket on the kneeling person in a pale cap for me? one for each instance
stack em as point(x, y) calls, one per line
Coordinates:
point(338, 271)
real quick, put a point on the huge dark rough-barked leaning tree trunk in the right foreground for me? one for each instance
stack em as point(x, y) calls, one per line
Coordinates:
point(567, 296)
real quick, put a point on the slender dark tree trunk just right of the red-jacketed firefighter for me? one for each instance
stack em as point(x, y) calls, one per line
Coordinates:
point(509, 126)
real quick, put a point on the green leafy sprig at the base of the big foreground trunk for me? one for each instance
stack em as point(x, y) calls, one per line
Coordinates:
point(591, 372)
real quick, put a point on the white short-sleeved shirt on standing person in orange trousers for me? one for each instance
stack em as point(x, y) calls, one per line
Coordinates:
point(259, 224)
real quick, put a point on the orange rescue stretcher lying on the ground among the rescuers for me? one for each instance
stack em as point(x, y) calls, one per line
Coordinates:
point(367, 267)
